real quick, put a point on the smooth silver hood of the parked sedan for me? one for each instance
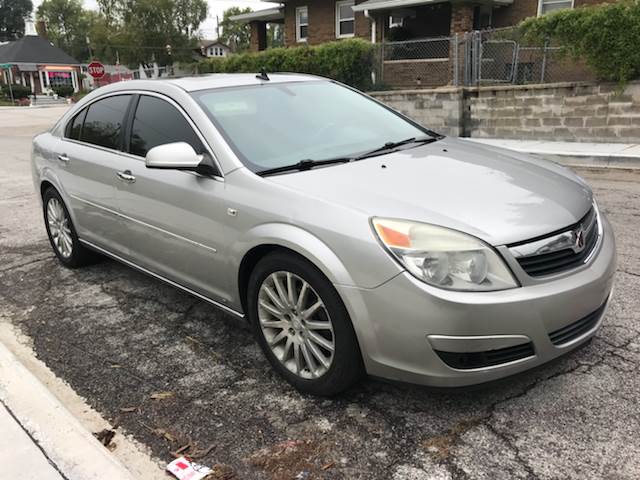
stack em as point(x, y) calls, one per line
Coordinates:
point(495, 194)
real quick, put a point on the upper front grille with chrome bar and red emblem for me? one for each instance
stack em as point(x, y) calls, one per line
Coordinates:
point(548, 259)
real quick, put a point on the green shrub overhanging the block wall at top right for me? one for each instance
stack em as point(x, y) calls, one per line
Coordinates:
point(606, 36)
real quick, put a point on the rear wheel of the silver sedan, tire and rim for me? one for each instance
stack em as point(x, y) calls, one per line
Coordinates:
point(61, 232)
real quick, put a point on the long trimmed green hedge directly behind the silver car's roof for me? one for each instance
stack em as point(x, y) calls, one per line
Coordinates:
point(348, 61)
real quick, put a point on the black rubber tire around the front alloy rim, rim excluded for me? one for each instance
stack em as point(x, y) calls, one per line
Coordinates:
point(346, 367)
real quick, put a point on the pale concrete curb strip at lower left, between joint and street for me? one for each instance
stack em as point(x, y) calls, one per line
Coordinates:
point(74, 451)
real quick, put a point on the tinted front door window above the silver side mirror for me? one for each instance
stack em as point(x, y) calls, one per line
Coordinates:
point(157, 122)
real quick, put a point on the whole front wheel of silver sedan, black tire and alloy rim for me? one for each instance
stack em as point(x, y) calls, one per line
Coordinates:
point(302, 325)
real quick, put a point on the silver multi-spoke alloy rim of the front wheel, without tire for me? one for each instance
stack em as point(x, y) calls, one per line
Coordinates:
point(296, 324)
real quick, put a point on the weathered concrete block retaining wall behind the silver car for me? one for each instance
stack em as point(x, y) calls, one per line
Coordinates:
point(587, 112)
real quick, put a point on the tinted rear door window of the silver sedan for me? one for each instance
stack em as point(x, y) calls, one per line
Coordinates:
point(104, 122)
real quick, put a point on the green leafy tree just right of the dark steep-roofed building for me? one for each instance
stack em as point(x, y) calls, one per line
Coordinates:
point(67, 25)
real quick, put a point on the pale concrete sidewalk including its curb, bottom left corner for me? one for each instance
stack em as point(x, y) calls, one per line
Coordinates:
point(42, 440)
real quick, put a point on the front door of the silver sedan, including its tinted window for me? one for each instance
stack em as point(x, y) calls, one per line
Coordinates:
point(174, 219)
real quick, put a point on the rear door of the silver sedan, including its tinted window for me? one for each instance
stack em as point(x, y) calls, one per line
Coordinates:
point(90, 157)
